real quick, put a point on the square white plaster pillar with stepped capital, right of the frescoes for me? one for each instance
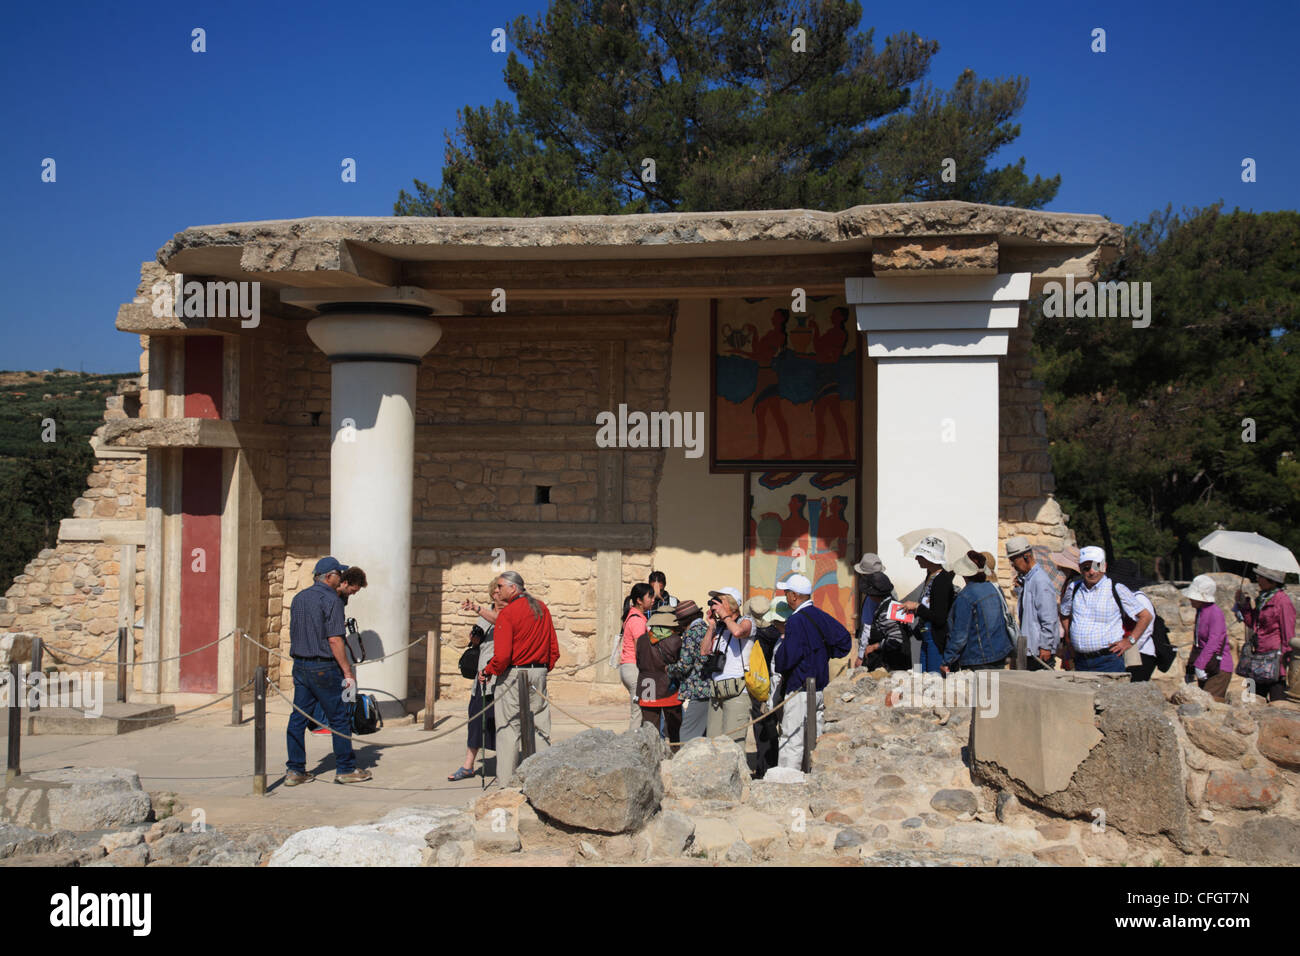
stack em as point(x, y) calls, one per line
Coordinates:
point(937, 344)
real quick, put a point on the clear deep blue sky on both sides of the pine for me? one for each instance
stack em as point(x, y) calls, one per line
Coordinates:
point(151, 139)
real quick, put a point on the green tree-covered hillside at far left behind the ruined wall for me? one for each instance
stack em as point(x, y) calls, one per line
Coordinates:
point(40, 481)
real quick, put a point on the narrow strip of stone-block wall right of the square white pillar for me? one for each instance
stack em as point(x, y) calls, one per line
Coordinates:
point(1028, 505)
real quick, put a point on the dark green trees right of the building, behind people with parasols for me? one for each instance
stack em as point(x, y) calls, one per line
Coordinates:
point(1147, 426)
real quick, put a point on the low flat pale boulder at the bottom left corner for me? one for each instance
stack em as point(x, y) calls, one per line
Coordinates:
point(77, 799)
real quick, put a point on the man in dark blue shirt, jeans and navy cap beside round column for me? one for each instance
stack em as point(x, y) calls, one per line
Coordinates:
point(322, 673)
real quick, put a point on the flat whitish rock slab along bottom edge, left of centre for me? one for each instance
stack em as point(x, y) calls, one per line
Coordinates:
point(396, 841)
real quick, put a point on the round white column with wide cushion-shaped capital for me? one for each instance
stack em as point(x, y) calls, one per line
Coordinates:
point(375, 357)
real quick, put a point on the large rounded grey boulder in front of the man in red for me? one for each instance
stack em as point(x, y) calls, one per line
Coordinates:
point(597, 781)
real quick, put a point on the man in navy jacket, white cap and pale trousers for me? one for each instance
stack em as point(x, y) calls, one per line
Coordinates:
point(812, 638)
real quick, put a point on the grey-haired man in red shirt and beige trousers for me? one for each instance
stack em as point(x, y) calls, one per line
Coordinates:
point(525, 641)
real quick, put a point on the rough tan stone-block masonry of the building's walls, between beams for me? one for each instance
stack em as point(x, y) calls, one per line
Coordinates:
point(71, 595)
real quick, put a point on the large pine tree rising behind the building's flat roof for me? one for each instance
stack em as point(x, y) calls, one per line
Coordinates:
point(734, 118)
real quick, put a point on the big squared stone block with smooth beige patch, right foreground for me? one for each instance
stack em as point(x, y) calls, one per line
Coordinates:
point(1133, 773)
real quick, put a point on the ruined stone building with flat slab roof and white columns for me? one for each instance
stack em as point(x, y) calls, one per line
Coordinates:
point(604, 312)
